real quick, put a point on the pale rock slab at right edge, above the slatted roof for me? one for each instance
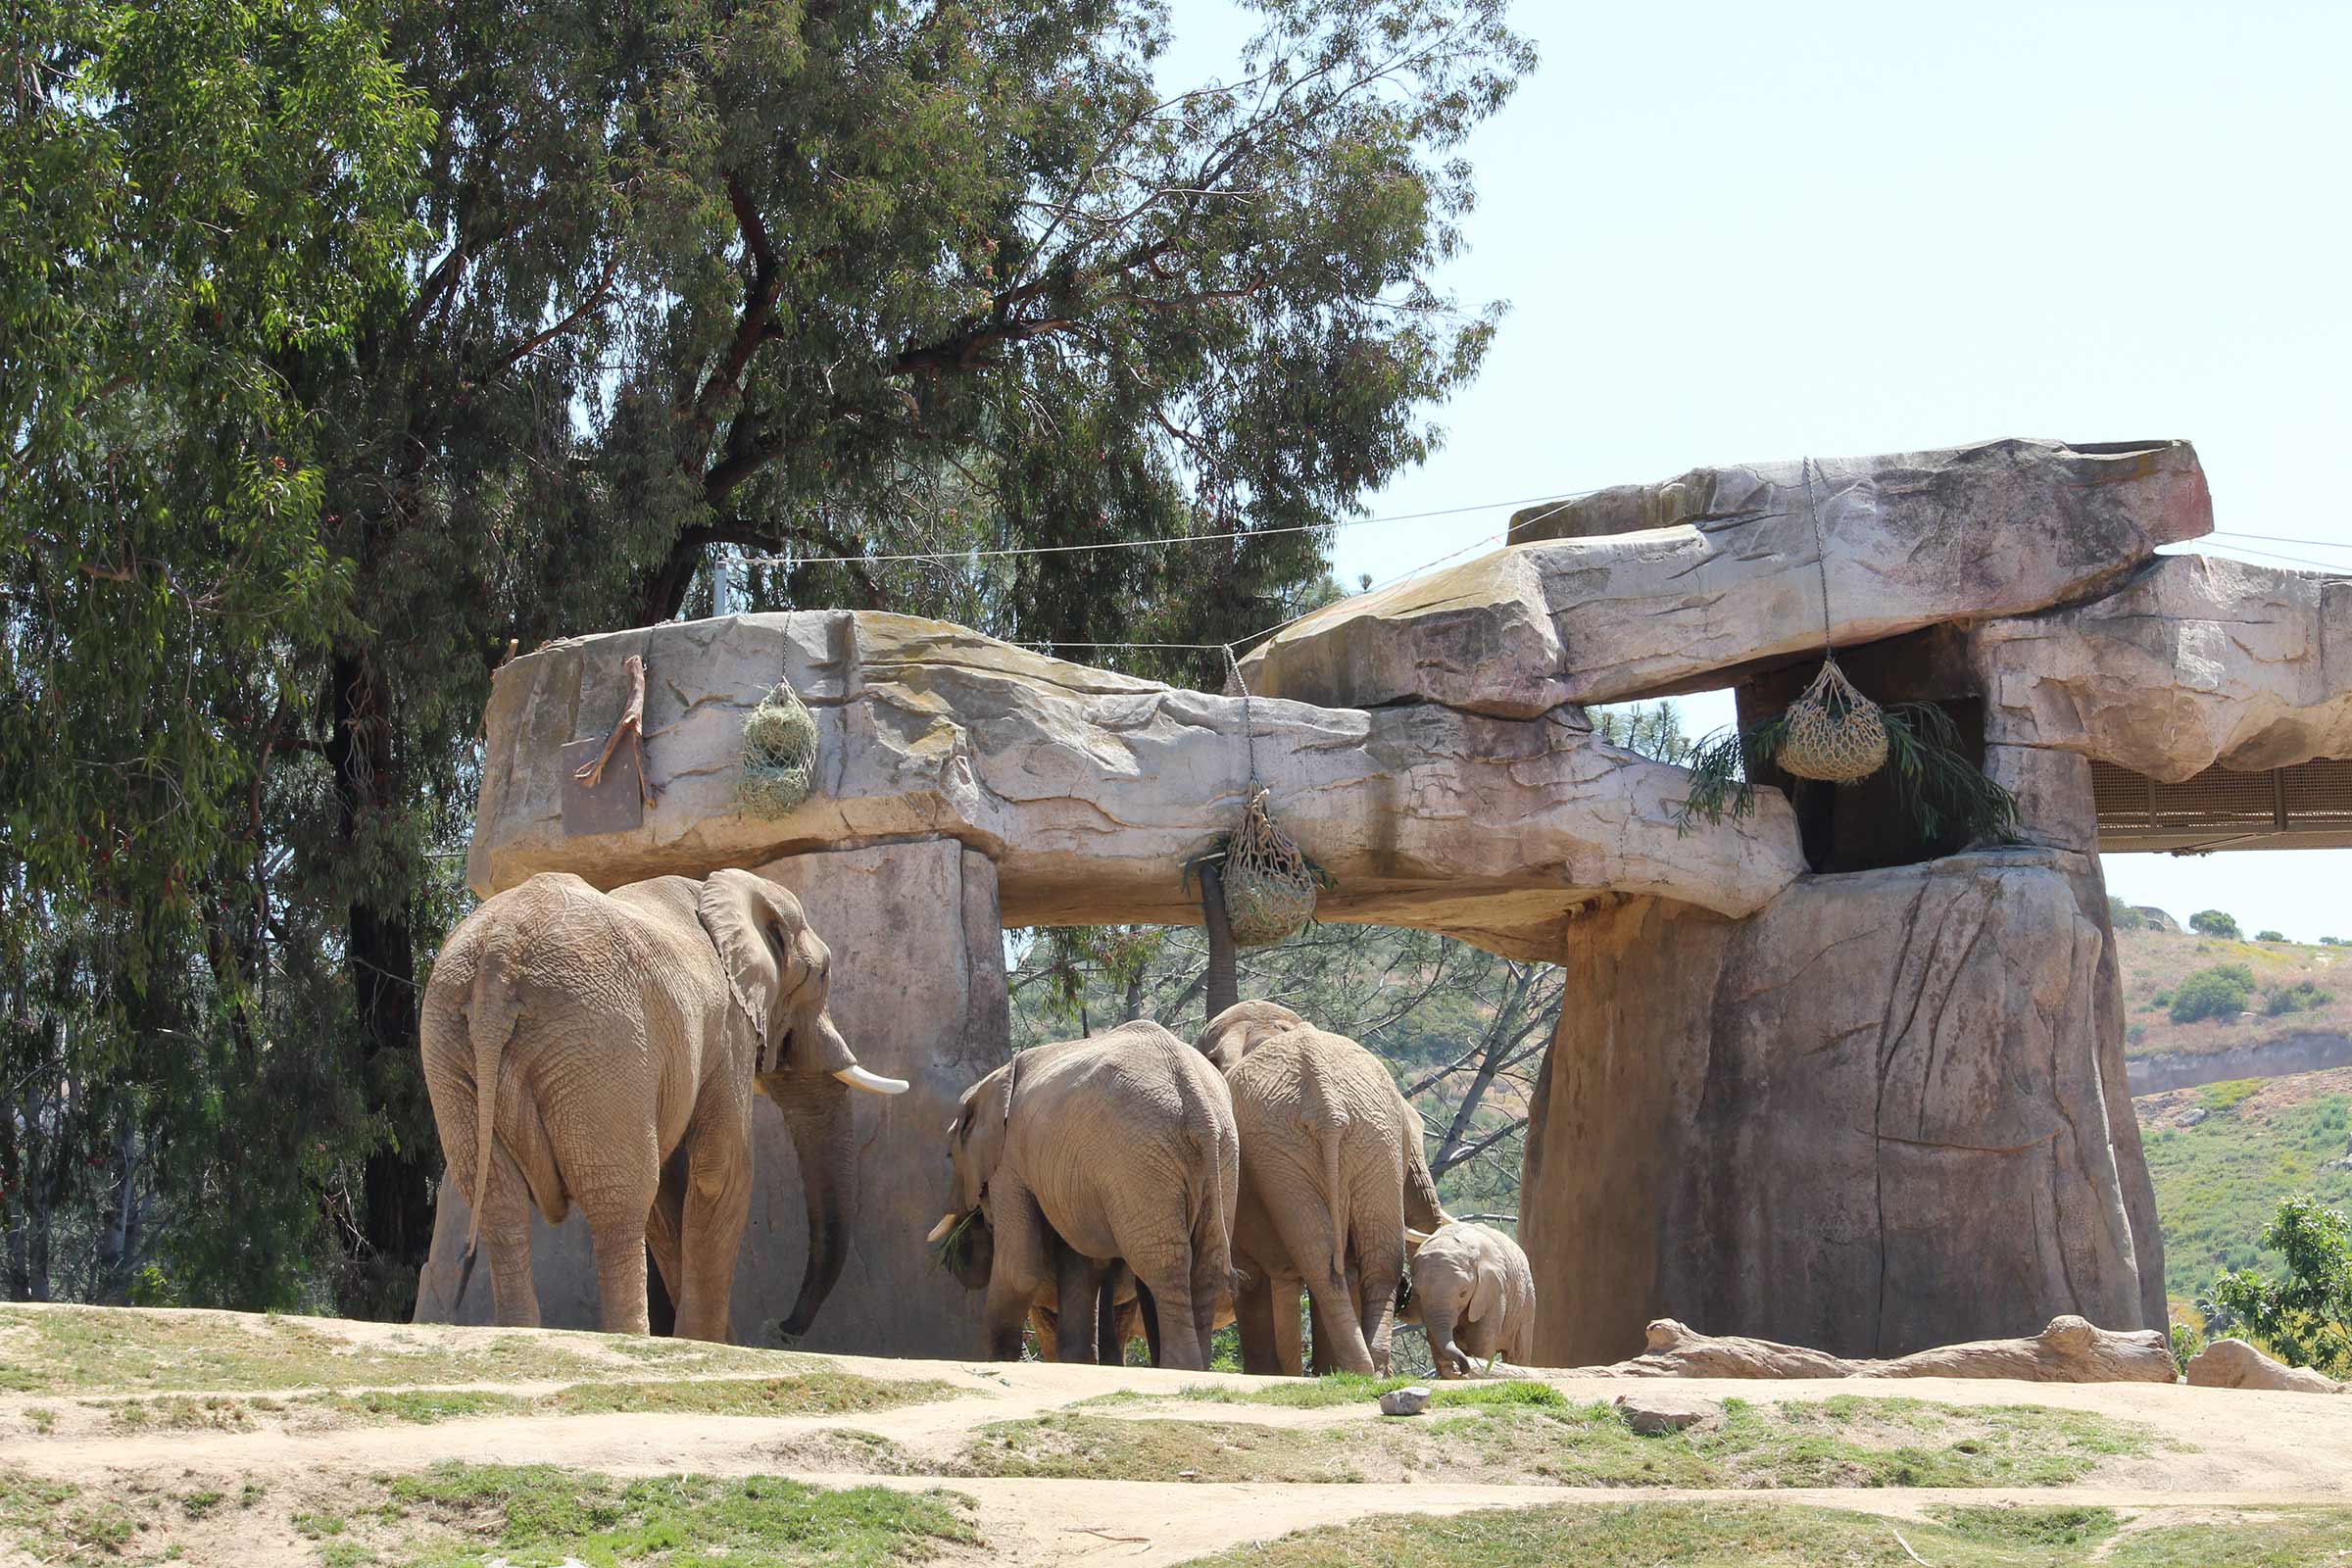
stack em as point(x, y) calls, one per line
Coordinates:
point(2196, 662)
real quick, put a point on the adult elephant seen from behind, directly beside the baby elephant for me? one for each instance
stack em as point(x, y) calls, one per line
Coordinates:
point(1332, 1172)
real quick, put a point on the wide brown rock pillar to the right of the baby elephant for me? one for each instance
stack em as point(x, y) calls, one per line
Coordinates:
point(1883, 1115)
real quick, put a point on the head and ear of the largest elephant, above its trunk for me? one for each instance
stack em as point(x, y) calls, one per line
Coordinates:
point(773, 960)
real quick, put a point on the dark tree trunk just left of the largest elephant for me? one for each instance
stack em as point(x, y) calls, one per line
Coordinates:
point(396, 1209)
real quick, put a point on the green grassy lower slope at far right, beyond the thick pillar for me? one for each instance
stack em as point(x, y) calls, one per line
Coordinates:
point(2221, 1181)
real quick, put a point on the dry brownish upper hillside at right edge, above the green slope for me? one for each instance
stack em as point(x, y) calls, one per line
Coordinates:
point(2297, 1012)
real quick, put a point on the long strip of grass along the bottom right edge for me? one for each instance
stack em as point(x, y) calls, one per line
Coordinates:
point(1784, 1536)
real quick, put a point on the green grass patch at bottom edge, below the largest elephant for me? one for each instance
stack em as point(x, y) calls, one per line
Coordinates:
point(544, 1515)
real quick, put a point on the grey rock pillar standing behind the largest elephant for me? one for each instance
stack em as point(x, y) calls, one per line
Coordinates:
point(918, 989)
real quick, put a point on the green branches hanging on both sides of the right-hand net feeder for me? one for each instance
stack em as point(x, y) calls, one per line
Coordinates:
point(1935, 782)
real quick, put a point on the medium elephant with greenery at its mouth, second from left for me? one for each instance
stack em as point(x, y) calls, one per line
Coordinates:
point(1097, 1151)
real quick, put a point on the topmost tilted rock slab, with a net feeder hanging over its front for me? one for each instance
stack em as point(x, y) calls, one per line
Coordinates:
point(1725, 572)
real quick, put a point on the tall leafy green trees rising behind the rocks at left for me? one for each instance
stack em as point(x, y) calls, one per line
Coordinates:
point(347, 344)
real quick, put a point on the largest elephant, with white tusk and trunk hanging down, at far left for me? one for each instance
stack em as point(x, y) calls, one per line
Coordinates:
point(606, 1047)
